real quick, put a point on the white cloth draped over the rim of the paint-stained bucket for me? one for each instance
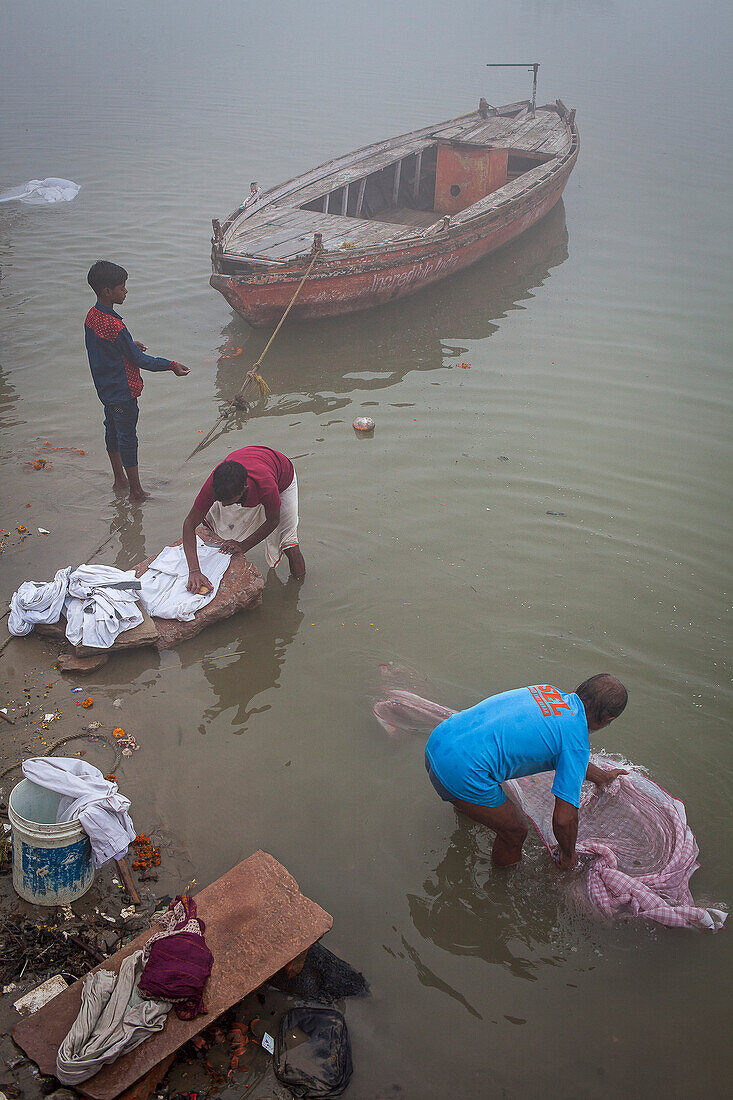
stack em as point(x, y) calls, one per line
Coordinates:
point(89, 797)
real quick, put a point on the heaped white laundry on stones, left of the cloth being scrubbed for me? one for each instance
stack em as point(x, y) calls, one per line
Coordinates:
point(100, 602)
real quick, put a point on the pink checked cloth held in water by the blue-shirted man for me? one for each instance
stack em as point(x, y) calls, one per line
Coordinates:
point(638, 853)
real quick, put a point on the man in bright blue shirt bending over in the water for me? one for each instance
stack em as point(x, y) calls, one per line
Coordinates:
point(522, 733)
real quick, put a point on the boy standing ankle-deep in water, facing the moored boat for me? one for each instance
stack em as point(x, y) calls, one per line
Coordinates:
point(116, 361)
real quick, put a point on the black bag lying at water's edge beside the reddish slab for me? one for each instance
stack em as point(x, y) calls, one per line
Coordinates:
point(313, 1054)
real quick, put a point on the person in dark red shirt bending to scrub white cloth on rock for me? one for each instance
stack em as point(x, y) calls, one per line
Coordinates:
point(251, 498)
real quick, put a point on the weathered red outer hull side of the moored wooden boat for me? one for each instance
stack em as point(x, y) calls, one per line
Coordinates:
point(344, 284)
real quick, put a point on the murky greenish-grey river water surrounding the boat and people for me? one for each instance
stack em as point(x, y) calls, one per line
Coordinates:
point(559, 510)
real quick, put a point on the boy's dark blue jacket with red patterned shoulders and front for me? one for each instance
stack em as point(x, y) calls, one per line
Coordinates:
point(115, 358)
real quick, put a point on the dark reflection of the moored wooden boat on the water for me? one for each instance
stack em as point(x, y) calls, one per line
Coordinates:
point(315, 369)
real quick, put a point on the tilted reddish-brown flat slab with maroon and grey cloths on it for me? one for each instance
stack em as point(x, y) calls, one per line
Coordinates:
point(257, 922)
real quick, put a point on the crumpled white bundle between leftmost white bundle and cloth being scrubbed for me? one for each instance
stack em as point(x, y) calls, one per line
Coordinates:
point(102, 604)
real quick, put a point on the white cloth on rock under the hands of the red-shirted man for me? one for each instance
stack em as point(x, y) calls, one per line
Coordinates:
point(165, 582)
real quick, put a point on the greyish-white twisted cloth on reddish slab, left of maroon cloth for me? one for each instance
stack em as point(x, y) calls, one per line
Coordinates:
point(113, 1020)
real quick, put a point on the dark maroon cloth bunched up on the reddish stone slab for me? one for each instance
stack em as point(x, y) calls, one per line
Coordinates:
point(178, 961)
